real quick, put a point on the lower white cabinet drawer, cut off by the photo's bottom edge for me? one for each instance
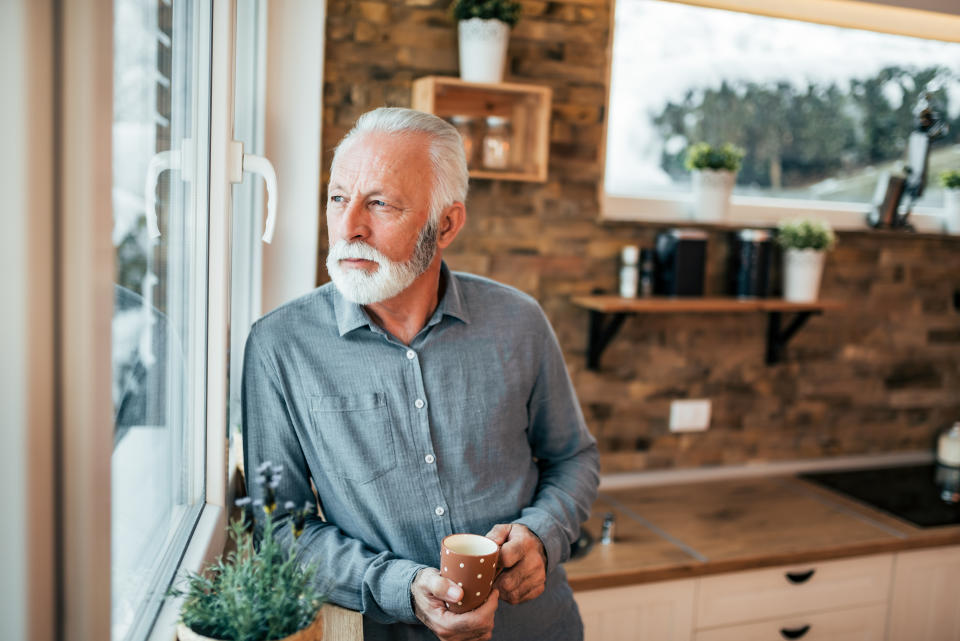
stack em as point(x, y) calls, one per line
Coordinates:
point(855, 624)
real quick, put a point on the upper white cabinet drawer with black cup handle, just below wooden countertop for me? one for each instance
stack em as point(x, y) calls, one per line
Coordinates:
point(787, 590)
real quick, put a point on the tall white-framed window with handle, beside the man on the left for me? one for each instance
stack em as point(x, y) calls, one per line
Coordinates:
point(179, 256)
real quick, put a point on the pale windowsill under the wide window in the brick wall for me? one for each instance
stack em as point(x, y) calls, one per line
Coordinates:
point(755, 212)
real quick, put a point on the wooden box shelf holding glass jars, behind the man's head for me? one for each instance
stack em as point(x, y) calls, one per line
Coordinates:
point(527, 107)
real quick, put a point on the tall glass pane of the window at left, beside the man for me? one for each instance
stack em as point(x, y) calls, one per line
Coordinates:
point(160, 168)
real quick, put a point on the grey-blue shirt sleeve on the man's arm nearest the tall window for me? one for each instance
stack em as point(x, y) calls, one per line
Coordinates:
point(349, 573)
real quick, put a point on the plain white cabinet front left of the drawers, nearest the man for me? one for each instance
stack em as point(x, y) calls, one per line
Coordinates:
point(651, 611)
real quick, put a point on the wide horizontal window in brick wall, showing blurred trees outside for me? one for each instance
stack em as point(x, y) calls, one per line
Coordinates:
point(821, 110)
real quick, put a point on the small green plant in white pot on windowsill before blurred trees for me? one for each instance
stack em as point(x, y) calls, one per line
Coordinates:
point(714, 174)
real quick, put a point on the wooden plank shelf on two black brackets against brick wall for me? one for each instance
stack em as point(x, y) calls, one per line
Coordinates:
point(607, 314)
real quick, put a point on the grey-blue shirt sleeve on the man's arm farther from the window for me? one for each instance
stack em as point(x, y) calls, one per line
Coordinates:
point(566, 455)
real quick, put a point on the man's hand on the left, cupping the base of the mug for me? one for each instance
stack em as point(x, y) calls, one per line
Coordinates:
point(430, 590)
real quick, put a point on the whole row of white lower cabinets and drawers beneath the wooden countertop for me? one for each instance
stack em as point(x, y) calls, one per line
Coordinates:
point(908, 596)
